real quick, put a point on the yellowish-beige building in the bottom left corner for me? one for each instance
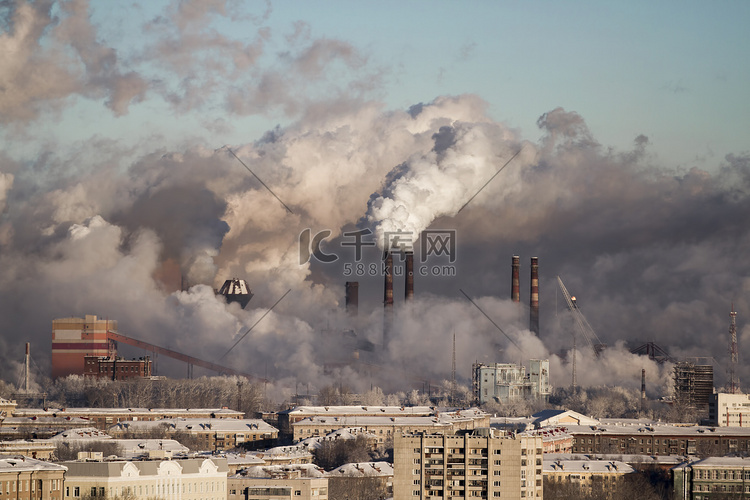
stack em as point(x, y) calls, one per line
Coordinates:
point(23, 478)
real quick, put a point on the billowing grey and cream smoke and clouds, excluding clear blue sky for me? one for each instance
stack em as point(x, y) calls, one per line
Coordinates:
point(651, 254)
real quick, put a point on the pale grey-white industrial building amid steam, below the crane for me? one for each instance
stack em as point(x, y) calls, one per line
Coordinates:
point(504, 382)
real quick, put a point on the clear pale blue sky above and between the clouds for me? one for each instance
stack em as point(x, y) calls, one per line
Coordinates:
point(677, 72)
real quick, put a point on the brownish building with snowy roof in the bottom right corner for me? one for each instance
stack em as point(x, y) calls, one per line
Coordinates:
point(713, 477)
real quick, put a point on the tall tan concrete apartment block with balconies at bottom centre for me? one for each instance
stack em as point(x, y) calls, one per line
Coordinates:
point(483, 463)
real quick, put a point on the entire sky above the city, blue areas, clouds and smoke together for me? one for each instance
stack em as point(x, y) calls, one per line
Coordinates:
point(629, 122)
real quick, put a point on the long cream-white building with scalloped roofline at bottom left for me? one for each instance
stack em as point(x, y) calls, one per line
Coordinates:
point(183, 479)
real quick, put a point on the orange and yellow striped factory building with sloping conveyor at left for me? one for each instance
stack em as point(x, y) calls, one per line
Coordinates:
point(75, 338)
